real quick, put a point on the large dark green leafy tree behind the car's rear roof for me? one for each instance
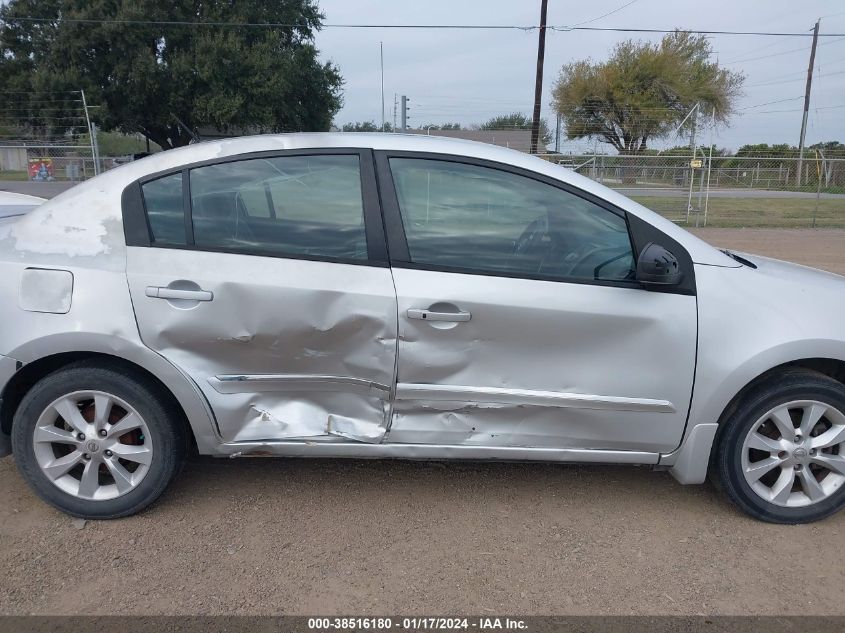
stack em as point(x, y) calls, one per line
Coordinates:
point(161, 80)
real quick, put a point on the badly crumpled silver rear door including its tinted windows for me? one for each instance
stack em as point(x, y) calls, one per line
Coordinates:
point(265, 280)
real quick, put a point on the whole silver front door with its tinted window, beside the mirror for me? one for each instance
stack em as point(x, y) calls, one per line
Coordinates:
point(520, 322)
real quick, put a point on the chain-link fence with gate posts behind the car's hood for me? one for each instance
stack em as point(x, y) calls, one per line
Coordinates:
point(731, 191)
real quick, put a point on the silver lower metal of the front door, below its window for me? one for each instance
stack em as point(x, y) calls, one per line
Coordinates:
point(542, 363)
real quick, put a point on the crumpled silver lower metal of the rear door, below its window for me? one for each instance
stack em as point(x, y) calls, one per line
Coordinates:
point(285, 349)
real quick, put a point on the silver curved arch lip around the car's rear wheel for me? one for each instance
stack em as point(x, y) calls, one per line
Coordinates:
point(173, 382)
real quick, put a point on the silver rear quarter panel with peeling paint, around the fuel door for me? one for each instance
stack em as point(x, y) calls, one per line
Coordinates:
point(81, 232)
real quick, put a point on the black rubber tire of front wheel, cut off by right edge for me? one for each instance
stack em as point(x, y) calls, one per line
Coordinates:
point(790, 385)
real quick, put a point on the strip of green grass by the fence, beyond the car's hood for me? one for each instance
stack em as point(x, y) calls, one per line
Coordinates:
point(755, 212)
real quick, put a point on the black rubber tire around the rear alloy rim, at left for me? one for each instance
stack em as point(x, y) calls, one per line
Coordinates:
point(163, 420)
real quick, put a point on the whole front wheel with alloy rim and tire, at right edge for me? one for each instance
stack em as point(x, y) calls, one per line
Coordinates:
point(781, 456)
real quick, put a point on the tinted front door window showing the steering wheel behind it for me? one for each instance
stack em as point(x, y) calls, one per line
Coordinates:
point(482, 219)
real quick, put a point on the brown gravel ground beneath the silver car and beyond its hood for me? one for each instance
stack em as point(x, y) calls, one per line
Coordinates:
point(272, 536)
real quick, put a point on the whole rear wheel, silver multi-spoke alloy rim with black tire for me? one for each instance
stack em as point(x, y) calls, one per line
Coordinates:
point(97, 442)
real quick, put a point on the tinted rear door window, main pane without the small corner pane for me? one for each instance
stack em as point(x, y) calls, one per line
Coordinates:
point(293, 205)
